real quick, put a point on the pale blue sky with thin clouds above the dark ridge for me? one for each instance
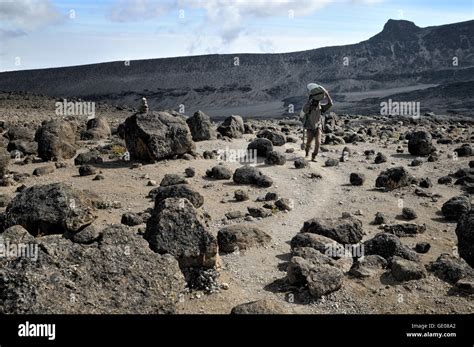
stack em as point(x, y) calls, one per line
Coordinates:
point(54, 33)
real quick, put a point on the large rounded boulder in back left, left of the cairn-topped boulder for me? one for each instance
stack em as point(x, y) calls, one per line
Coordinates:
point(56, 140)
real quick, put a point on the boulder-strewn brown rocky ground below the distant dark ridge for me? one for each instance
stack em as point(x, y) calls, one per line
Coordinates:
point(234, 249)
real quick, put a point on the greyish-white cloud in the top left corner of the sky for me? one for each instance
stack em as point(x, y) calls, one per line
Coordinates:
point(27, 15)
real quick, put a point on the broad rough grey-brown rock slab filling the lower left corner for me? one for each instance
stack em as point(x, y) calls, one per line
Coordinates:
point(118, 274)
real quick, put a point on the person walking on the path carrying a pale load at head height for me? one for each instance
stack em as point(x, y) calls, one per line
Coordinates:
point(312, 112)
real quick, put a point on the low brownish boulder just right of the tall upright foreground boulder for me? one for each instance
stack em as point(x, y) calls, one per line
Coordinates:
point(239, 237)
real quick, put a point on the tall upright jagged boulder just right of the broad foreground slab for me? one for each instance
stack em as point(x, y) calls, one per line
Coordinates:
point(175, 227)
